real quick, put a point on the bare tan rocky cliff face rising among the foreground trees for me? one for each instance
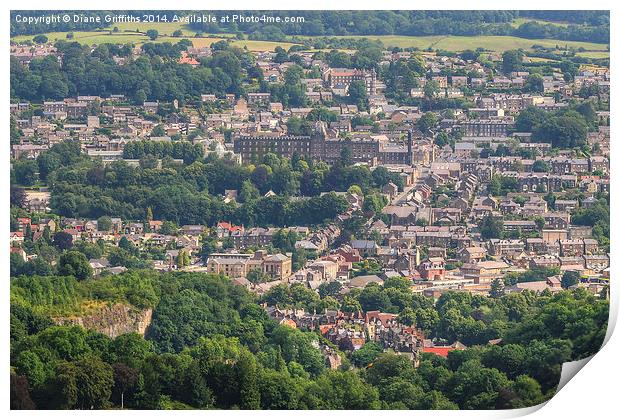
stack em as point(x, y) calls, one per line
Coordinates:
point(113, 320)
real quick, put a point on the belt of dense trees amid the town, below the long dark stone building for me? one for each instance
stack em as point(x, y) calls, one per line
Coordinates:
point(190, 192)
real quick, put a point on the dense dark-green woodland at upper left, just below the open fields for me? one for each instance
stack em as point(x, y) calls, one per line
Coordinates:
point(152, 77)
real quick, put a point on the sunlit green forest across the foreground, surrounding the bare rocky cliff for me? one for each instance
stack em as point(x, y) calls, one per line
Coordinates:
point(211, 345)
